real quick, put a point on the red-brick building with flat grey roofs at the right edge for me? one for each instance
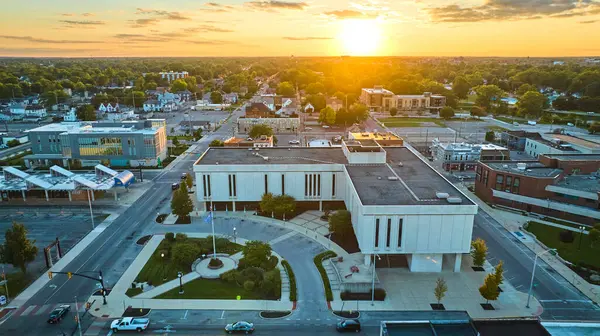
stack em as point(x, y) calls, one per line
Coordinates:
point(558, 185)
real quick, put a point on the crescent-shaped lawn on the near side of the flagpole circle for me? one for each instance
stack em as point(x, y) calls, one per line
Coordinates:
point(212, 290)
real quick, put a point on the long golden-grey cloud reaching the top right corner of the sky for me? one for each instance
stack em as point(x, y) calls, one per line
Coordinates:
point(497, 10)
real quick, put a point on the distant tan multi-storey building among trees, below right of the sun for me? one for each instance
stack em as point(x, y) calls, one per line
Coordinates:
point(379, 99)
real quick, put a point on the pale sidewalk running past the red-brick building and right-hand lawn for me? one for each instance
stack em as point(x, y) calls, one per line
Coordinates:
point(513, 223)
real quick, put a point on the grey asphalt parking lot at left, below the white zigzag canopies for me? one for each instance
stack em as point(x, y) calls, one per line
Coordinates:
point(45, 227)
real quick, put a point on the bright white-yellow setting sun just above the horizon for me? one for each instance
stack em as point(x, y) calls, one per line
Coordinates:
point(360, 37)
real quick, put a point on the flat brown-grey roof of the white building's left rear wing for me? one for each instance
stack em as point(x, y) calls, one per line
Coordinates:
point(277, 155)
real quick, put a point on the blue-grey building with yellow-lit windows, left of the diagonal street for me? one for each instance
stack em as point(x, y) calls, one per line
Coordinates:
point(121, 144)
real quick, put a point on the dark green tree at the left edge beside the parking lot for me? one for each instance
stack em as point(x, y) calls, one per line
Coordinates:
point(17, 250)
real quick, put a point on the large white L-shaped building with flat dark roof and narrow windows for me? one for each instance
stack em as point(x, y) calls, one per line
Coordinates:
point(401, 207)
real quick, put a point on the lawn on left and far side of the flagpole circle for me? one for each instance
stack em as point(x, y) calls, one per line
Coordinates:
point(158, 268)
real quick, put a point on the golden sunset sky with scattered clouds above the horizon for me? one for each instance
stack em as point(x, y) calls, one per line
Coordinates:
point(187, 28)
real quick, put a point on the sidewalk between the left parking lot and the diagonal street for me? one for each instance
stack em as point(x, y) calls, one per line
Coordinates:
point(43, 280)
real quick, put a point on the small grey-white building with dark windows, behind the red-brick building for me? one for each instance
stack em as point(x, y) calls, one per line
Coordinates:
point(464, 157)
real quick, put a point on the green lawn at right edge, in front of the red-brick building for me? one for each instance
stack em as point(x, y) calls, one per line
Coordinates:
point(549, 235)
